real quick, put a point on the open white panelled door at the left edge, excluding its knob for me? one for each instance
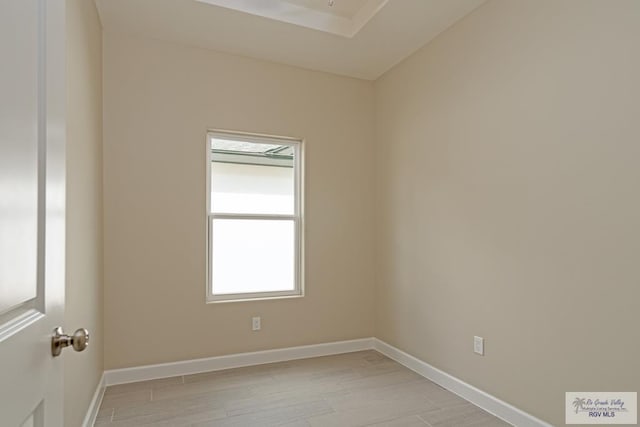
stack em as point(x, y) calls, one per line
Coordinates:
point(32, 209)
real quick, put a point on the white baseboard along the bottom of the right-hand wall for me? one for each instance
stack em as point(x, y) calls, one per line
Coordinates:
point(489, 403)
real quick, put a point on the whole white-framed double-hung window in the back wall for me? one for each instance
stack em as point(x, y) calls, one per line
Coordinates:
point(254, 209)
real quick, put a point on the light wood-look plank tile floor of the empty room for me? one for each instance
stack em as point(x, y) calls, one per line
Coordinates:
point(355, 389)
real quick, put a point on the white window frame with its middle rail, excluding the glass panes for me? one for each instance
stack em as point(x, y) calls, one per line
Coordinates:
point(297, 216)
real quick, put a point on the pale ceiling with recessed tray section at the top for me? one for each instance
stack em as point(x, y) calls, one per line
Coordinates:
point(360, 38)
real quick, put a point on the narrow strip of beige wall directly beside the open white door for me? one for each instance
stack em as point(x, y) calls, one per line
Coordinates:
point(82, 371)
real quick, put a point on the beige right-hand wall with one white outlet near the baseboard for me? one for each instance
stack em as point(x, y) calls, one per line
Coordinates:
point(507, 185)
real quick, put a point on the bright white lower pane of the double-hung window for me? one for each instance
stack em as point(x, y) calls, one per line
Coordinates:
point(252, 256)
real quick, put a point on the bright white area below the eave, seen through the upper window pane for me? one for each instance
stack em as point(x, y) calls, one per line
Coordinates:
point(257, 189)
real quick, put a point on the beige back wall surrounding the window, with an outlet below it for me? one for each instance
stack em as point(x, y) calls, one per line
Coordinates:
point(160, 99)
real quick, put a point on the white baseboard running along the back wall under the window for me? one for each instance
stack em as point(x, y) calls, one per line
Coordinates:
point(187, 367)
